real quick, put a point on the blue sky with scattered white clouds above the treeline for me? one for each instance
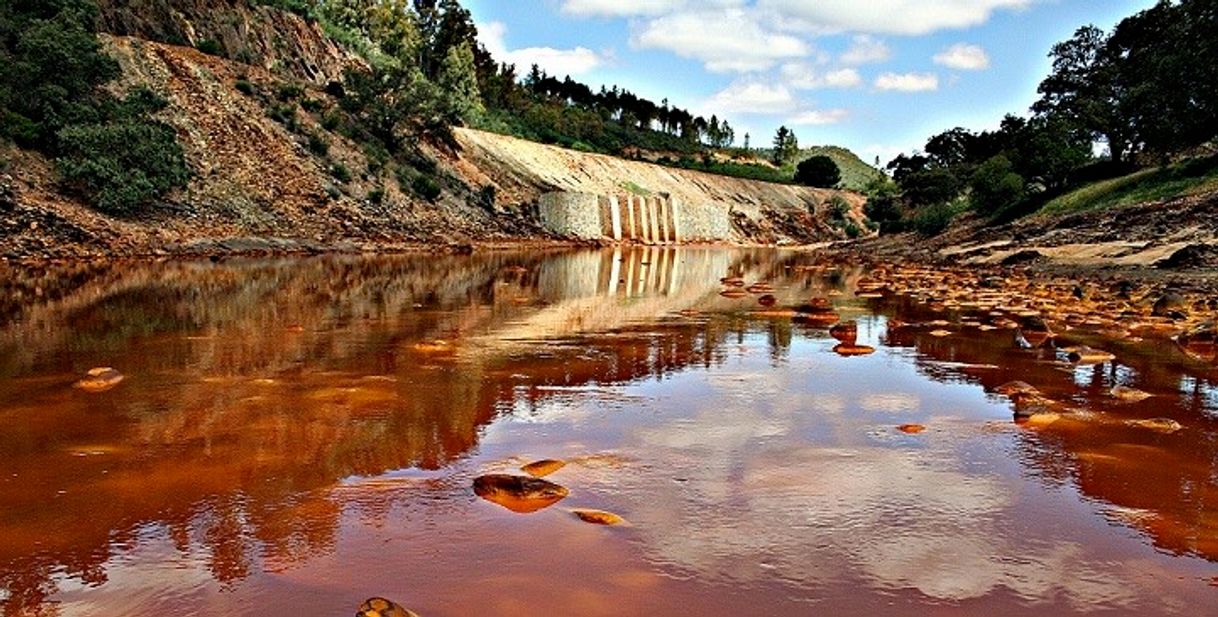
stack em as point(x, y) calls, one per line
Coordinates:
point(875, 76)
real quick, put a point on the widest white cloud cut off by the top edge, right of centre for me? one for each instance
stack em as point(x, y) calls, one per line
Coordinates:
point(889, 16)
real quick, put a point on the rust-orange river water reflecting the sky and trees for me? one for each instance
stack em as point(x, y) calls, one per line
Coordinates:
point(294, 436)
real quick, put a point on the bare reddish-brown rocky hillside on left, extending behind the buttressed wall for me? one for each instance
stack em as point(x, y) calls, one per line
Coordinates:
point(271, 172)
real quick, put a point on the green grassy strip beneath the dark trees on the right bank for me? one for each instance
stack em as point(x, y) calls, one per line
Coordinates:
point(1148, 186)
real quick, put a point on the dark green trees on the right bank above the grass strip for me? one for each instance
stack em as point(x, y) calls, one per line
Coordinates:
point(1141, 92)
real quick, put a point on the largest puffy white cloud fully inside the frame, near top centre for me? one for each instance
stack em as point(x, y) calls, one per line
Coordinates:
point(725, 41)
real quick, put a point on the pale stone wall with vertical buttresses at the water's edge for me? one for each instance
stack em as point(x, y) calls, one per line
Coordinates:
point(657, 220)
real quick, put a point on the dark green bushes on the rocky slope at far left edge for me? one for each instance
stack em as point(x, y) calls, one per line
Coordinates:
point(111, 150)
